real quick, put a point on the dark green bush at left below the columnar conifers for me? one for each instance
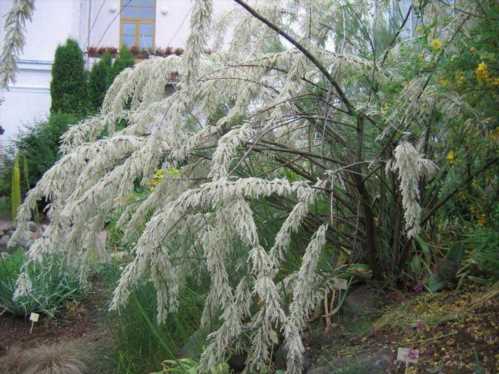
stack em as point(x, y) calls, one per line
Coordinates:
point(39, 144)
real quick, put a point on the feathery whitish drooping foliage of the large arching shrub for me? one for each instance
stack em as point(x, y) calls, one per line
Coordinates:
point(257, 101)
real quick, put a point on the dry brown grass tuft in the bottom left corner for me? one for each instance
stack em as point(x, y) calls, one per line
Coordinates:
point(46, 359)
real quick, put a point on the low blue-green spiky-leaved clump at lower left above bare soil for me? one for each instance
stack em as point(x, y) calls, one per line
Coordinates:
point(53, 284)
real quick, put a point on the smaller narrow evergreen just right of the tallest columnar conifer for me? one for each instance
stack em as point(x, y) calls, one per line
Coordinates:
point(100, 79)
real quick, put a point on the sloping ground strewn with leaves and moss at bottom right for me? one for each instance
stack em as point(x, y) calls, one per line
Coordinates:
point(454, 332)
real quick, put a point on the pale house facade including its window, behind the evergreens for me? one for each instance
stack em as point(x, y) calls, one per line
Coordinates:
point(95, 24)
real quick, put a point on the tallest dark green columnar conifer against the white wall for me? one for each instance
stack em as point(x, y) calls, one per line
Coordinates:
point(68, 88)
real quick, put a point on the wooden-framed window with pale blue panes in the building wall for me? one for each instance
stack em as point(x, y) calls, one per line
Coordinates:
point(137, 23)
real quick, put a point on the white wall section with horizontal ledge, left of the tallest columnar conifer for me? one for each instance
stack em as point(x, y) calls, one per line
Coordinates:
point(28, 100)
